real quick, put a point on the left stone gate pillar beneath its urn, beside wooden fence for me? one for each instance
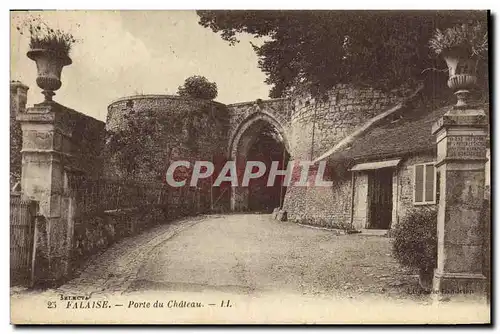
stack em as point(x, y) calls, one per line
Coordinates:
point(43, 179)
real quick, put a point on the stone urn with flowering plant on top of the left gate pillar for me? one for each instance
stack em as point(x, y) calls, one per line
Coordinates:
point(49, 48)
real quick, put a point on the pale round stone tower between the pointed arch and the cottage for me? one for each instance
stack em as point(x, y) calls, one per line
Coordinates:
point(316, 126)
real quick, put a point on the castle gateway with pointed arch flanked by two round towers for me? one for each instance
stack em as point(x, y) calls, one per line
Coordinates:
point(297, 128)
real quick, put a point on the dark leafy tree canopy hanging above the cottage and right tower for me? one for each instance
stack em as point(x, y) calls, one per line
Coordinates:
point(319, 49)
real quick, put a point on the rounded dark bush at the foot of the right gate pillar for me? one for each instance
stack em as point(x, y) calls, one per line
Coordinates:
point(415, 239)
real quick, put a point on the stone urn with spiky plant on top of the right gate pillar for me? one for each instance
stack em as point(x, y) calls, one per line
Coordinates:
point(461, 47)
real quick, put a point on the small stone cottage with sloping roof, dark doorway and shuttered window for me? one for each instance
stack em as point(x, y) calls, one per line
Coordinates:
point(390, 168)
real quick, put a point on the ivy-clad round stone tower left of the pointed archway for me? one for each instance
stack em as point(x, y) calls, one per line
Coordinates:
point(156, 130)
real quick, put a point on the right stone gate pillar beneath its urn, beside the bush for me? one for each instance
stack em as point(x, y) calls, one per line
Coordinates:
point(461, 156)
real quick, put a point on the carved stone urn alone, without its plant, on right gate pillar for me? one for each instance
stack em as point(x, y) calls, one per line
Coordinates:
point(462, 72)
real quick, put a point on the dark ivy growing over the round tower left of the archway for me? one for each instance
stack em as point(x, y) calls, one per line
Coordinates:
point(148, 140)
